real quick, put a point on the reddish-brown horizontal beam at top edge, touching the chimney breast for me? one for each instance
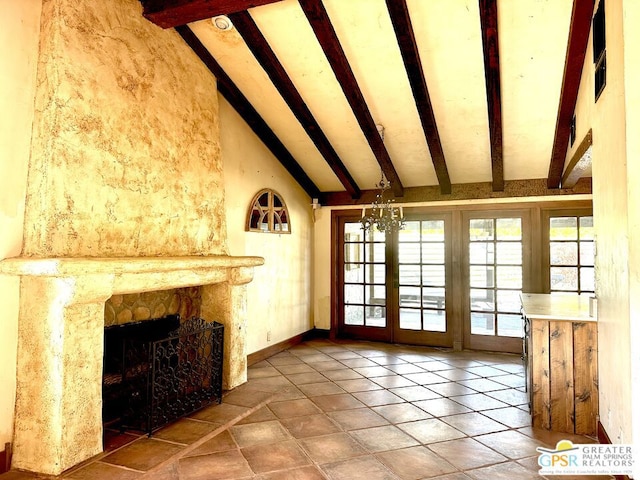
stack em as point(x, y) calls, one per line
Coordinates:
point(171, 13)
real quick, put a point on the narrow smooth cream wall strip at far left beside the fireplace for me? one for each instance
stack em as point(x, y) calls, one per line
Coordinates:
point(19, 34)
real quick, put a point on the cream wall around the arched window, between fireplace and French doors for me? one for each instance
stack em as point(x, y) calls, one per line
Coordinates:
point(279, 298)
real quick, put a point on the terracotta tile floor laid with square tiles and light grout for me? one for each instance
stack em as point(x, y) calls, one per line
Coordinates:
point(346, 410)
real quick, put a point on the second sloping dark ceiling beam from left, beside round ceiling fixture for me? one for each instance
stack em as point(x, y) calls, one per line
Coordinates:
point(258, 45)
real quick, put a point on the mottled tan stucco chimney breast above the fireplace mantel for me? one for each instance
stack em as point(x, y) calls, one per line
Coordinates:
point(125, 156)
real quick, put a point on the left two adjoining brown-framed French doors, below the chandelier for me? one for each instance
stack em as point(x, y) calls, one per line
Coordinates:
point(395, 286)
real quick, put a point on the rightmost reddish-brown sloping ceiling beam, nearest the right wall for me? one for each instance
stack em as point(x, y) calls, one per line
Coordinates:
point(574, 60)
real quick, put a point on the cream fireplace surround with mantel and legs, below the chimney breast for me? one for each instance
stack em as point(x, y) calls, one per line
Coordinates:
point(58, 420)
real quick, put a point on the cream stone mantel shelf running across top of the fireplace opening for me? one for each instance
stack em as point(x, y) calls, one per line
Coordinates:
point(78, 266)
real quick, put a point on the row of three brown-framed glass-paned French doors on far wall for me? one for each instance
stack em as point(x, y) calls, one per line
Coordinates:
point(447, 279)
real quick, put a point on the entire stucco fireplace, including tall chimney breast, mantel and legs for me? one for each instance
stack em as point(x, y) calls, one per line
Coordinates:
point(125, 192)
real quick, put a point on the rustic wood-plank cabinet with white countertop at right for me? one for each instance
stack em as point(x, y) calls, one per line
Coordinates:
point(561, 357)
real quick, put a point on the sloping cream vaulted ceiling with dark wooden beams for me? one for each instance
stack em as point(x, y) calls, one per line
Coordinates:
point(468, 92)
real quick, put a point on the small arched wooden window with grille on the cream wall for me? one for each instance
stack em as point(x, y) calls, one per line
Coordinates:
point(268, 213)
